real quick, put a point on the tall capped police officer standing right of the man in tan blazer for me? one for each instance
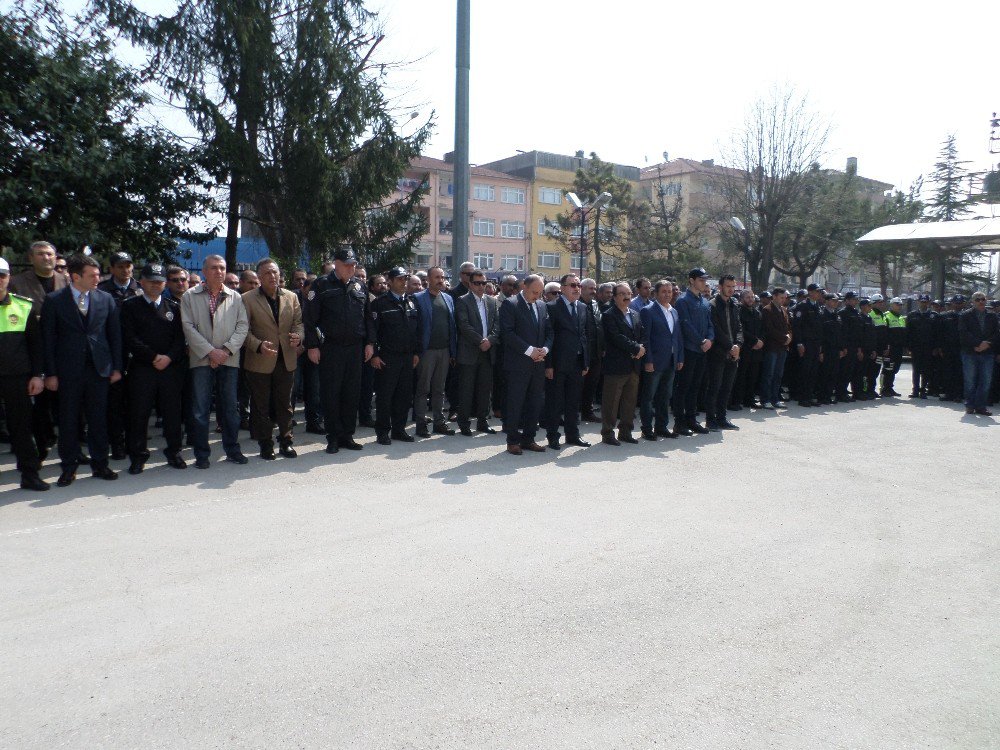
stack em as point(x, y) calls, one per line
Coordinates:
point(339, 340)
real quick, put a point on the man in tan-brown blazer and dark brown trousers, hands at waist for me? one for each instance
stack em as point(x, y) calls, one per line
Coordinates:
point(269, 362)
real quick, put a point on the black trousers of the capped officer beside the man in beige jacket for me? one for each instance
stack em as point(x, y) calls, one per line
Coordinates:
point(149, 387)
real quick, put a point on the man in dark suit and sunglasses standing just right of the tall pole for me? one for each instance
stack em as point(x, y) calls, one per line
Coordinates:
point(476, 317)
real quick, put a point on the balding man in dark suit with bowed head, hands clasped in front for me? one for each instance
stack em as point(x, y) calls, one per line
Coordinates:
point(526, 333)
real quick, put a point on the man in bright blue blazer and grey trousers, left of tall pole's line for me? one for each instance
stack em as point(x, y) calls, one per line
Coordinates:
point(440, 343)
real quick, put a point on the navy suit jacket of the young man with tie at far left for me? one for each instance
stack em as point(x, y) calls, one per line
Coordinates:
point(69, 338)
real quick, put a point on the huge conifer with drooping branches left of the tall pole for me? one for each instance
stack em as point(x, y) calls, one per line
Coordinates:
point(291, 110)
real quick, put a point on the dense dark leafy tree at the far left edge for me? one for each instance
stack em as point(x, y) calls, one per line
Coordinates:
point(77, 167)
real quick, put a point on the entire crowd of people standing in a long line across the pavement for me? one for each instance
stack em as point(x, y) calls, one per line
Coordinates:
point(86, 361)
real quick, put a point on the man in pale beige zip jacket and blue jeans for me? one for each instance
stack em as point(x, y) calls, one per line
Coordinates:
point(215, 326)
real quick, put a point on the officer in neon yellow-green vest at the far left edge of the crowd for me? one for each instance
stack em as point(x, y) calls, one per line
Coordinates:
point(20, 377)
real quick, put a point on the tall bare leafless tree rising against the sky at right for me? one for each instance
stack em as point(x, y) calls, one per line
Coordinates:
point(771, 157)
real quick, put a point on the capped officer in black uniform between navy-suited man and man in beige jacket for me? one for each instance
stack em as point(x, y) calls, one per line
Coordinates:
point(154, 339)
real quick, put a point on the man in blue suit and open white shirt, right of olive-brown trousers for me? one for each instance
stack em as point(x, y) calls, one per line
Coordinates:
point(663, 340)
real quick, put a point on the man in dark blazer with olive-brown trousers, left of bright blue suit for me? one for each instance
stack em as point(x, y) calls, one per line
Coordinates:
point(623, 339)
